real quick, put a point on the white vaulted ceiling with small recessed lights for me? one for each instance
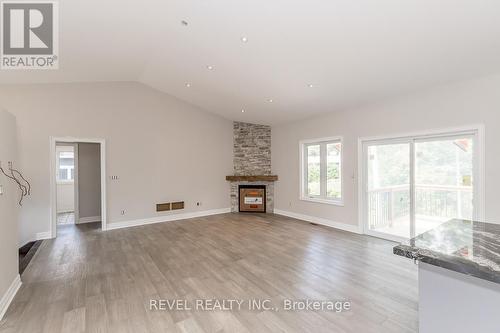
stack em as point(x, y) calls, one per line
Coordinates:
point(279, 60)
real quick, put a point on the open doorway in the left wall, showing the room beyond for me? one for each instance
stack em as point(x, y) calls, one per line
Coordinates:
point(78, 188)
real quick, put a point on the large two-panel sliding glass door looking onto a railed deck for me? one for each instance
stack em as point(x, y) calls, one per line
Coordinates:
point(414, 184)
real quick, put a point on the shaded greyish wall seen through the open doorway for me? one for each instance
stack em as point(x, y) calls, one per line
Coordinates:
point(89, 180)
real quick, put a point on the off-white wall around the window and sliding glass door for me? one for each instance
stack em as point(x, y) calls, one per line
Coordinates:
point(464, 103)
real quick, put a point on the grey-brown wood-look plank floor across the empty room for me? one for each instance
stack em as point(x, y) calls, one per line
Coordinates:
point(87, 280)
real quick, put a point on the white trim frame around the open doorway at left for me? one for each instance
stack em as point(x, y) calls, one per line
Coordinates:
point(53, 199)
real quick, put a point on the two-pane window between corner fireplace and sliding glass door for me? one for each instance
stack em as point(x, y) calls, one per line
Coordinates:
point(321, 170)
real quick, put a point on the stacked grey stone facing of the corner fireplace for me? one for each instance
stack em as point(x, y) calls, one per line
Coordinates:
point(252, 157)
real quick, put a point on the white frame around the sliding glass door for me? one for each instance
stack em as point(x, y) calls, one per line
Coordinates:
point(479, 170)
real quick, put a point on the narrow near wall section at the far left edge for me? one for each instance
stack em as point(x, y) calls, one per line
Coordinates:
point(9, 268)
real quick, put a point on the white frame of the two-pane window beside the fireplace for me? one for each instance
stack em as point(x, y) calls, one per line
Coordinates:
point(322, 198)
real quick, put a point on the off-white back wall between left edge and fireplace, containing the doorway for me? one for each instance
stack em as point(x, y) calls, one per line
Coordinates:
point(161, 148)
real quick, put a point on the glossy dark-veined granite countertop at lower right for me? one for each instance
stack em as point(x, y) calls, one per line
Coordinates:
point(467, 247)
